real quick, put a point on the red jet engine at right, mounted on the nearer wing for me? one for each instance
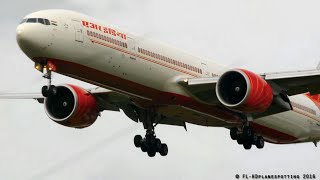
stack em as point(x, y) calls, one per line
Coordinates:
point(244, 91)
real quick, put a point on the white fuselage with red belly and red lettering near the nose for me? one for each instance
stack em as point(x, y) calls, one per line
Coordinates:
point(86, 49)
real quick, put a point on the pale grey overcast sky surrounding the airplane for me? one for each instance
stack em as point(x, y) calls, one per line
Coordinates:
point(263, 36)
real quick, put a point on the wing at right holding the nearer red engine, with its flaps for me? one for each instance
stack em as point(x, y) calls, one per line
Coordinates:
point(282, 83)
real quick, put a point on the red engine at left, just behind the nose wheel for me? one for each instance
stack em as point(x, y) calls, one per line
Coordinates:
point(72, 106)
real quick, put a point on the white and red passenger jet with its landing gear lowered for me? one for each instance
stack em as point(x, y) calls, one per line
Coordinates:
point(153, 83)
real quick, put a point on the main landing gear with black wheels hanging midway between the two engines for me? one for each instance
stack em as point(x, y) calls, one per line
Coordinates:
point(150, 143)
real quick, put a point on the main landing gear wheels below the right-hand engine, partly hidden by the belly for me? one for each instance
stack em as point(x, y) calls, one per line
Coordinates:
point(247, 137)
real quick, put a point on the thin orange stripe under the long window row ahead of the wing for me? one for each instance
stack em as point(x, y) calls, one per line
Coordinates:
point(142, 57)
